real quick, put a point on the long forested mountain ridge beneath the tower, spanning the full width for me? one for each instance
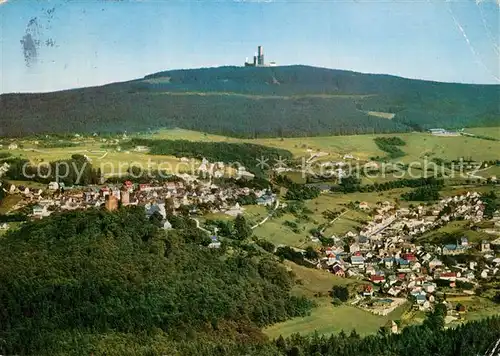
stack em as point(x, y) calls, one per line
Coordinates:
point(255, 102)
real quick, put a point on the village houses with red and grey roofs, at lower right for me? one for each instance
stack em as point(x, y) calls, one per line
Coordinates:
point(385, 255)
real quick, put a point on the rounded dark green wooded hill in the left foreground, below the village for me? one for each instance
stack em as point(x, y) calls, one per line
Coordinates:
point(80, 281)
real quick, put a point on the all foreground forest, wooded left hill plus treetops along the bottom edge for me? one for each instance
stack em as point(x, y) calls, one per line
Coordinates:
point(101, 283)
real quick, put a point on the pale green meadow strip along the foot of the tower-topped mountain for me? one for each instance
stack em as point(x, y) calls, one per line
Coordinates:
point(418, 146)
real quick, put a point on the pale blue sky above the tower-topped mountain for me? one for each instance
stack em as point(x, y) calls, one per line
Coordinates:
point(54, 45)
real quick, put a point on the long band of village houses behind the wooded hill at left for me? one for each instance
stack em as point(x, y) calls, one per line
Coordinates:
point(185, 191)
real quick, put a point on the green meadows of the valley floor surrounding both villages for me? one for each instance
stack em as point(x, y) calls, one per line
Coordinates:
point(308, 226)
